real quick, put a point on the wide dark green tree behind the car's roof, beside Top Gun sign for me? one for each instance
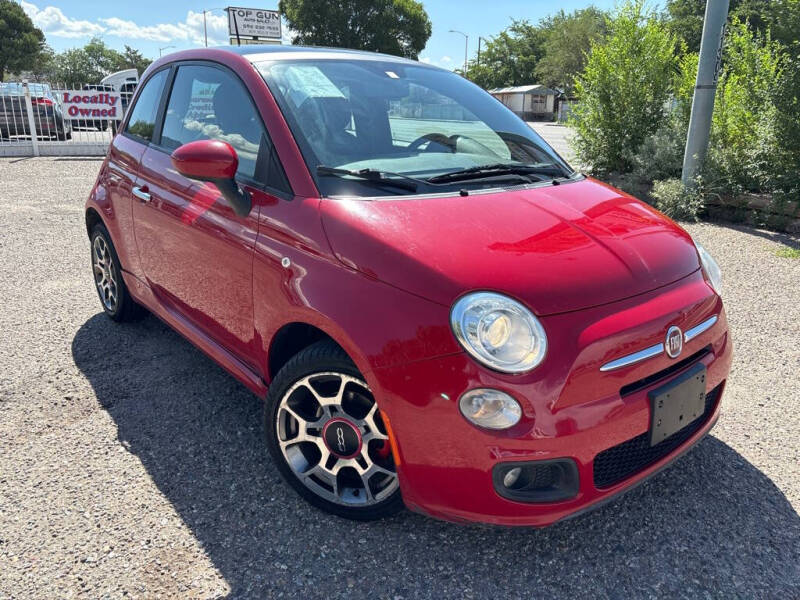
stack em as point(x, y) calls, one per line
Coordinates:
point(399, 27)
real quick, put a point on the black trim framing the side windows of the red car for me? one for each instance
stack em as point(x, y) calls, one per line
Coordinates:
point(155, 144)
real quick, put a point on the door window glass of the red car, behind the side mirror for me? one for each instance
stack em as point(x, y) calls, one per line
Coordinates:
point(210, 103)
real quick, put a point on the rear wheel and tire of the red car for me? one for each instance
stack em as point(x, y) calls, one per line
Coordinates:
point(115, 298)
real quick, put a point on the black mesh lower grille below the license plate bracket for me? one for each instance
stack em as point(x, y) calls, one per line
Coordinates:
point(628, 458)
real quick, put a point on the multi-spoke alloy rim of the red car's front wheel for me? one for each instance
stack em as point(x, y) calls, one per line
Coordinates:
point(331, 435)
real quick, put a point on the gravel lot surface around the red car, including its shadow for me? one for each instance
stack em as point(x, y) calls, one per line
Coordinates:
point(131, 465)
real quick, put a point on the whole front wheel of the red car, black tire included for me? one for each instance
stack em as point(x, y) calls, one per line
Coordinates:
point(327, 438)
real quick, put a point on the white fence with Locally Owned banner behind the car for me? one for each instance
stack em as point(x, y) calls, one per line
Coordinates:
point(46, 119)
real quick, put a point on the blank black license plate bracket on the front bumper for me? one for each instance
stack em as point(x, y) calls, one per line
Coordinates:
point(676, 404)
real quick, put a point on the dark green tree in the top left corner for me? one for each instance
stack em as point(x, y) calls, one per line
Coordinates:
point(20, 41)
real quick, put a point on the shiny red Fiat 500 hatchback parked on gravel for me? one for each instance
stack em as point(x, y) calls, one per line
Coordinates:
point(438, 310)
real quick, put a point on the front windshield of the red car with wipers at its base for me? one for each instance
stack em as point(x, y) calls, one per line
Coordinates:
point(395, 120)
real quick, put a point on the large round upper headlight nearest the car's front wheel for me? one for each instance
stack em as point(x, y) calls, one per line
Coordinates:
point(498, 332)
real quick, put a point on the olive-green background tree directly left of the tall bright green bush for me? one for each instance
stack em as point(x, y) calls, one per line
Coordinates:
point(568, 38)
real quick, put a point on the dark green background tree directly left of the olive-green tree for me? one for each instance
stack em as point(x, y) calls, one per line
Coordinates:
point(510, 58)
